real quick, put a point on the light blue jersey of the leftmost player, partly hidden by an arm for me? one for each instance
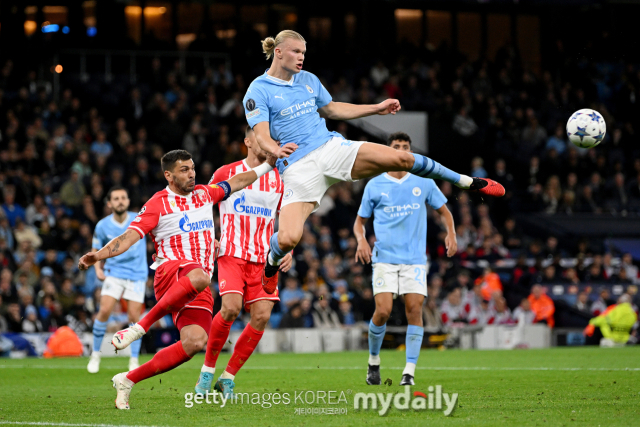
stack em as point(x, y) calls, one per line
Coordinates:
point(132, 264)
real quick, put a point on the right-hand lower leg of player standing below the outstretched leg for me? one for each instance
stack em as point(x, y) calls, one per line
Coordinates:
point(415, 331)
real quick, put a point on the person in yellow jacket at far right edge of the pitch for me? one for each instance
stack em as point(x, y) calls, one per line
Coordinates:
point(615, 323)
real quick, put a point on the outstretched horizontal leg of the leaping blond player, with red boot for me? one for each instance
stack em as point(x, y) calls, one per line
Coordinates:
point(374, 159)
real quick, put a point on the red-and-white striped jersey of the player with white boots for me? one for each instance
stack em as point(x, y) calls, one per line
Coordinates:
point(181, 227)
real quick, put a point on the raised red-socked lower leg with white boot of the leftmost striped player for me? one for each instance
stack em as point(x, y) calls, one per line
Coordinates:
point(179, 293)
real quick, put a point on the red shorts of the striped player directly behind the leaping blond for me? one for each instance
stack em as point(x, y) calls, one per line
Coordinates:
point(237, 276)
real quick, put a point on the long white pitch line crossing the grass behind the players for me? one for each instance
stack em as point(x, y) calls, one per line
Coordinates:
point(427, 368)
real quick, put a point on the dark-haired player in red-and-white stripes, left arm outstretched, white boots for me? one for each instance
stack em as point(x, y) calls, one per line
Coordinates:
point(180, 222)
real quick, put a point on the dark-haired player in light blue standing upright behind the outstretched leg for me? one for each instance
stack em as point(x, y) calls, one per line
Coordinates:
point(398, 202)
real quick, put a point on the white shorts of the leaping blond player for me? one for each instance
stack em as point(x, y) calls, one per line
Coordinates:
point(309, 178)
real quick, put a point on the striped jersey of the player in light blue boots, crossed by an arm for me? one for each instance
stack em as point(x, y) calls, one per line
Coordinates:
point(247, 217)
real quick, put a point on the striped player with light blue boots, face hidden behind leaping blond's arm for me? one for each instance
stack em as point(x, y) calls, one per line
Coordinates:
point(247, 219)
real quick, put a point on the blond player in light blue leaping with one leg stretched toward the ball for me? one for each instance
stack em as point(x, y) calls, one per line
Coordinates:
point(287, 104)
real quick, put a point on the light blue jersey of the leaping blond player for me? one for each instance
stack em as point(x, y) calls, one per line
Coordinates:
point(291, 108)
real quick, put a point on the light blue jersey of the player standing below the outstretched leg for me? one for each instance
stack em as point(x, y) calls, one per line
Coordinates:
point(399, 207)
